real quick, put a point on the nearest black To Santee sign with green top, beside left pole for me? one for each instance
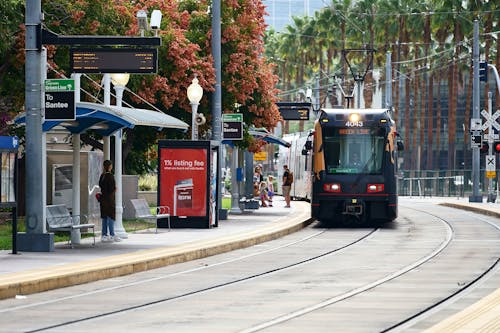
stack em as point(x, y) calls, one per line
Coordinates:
point(60, 99)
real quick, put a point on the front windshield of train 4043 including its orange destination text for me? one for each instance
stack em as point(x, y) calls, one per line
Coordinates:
point(353, 150)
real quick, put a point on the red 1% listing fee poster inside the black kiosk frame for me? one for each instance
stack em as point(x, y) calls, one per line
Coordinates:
point(183, 176)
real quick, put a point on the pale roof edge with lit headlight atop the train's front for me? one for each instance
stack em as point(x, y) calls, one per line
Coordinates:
point(336, 117)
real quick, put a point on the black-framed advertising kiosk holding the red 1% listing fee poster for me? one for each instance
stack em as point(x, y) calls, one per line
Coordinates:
point(188, 182)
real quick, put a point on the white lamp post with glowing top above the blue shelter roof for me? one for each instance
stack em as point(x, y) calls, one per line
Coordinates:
point(119, 82)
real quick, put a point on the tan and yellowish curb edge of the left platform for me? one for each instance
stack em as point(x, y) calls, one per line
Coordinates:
point(38, 280)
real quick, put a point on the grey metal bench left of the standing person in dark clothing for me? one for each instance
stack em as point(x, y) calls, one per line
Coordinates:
point(59, 219)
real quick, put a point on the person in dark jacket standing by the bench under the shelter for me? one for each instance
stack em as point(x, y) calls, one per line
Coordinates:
point(107, 203)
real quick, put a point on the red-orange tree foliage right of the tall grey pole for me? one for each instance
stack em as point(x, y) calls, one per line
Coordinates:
point(249, 80)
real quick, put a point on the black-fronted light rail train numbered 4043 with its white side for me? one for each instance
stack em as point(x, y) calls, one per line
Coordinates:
point(346, 166)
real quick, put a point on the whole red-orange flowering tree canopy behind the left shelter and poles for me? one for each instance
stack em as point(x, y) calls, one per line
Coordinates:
point(248, 79)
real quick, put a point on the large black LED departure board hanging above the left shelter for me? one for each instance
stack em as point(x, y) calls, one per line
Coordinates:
point(109, 60)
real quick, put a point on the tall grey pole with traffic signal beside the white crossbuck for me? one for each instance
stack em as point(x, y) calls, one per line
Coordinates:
point(476, 196)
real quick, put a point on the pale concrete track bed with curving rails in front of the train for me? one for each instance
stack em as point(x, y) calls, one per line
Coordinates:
point(397, 256)
